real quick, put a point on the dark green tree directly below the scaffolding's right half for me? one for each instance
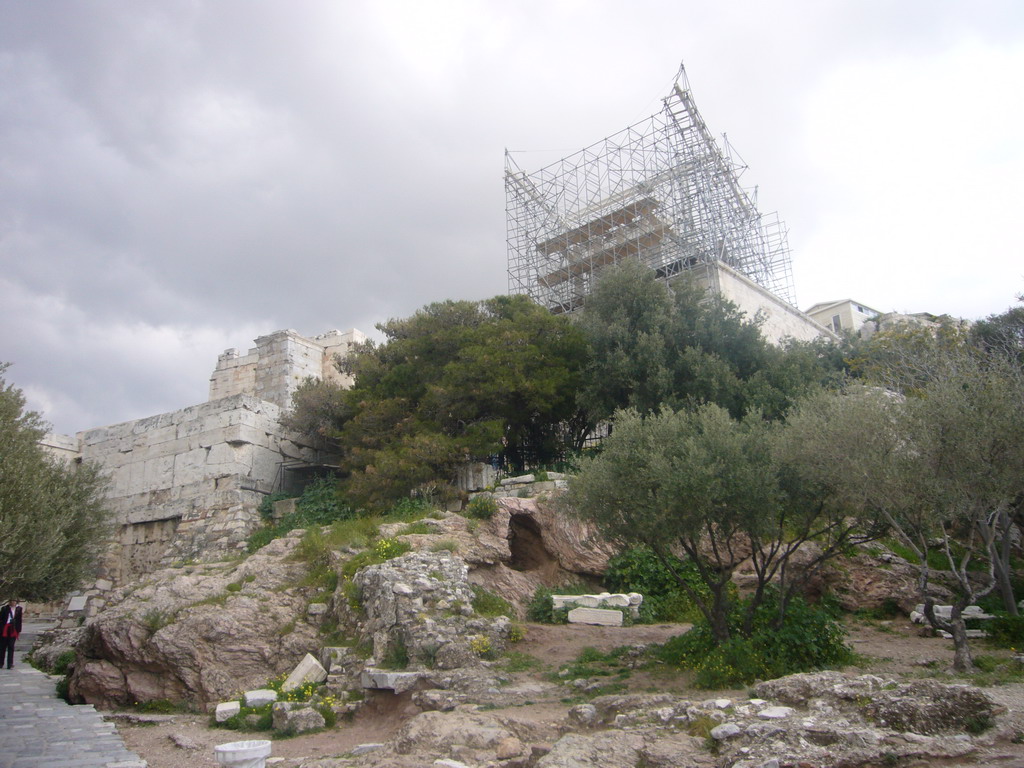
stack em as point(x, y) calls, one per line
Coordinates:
point(658, 347)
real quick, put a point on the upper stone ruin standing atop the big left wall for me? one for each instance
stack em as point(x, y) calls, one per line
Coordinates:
point(280, 363)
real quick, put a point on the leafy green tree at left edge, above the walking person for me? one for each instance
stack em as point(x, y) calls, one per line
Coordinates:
point(53, 523)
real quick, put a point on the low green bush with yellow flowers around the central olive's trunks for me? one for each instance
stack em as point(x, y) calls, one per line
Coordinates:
point(810, 638)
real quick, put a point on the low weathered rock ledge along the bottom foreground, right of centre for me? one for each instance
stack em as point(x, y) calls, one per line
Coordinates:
point(810, 720)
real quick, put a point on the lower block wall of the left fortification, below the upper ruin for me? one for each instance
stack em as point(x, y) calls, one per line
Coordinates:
point(189, 483)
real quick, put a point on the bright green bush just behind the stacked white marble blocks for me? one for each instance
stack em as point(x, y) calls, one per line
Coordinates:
point(639, 570)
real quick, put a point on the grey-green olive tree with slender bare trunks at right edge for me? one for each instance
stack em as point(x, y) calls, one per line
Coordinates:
point(943, 465)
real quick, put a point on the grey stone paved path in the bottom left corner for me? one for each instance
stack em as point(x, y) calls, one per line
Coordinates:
point(39, 731)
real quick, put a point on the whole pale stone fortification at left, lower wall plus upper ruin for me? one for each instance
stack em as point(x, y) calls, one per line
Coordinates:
point(189, 484)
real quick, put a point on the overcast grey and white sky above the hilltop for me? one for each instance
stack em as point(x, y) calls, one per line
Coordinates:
point(178, 179)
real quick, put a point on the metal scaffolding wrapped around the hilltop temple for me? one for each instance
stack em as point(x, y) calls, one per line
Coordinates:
point(662, 192)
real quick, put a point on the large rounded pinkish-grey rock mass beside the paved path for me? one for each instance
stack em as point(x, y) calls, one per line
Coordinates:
point(198, 634)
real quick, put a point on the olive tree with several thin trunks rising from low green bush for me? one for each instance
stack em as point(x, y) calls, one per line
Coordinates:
point(708, 486)
